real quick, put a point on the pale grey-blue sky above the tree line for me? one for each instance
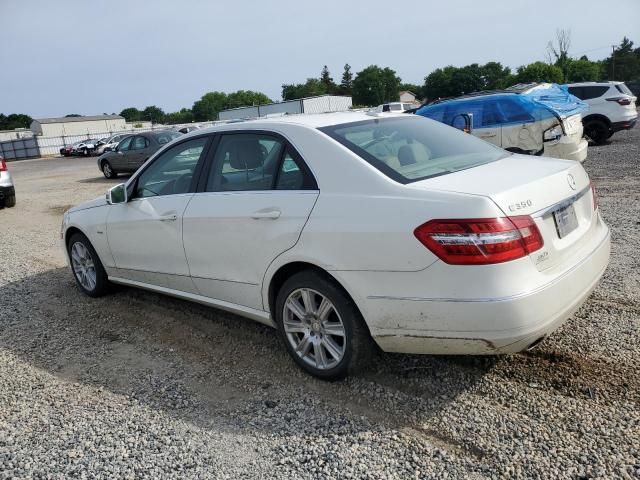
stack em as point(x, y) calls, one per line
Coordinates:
point(89, 57)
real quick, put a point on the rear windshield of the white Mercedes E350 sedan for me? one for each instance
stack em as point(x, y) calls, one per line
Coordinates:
point(413, 148)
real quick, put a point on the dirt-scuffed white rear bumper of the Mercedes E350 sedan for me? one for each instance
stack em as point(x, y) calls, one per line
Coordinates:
point(472, 326)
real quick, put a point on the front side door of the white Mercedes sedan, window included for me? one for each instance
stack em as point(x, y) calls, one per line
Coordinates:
point(145, 234)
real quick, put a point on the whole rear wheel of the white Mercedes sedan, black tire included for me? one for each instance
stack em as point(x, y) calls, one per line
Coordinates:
point(321, 327)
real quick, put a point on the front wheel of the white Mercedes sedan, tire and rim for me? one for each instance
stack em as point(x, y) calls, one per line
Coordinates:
point(86, 266)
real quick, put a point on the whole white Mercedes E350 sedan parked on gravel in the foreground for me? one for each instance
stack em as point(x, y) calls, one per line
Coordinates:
point(350, 230)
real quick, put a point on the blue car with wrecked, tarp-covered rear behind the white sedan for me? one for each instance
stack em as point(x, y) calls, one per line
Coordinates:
point(530, 119)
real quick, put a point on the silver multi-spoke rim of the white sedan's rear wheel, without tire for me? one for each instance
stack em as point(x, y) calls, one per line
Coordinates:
point(314, 328)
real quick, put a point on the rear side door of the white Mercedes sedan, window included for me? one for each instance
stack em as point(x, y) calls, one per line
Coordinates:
point(251, 206)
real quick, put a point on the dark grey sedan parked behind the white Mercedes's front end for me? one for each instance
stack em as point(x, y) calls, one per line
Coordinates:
point(132, 151)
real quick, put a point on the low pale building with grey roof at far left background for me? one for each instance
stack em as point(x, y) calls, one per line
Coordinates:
point(70, 126)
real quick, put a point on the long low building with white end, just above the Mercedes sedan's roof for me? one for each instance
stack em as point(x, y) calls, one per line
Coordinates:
point(320, 104)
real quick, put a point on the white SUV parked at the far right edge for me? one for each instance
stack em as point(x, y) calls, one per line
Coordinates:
point(612, 107)
